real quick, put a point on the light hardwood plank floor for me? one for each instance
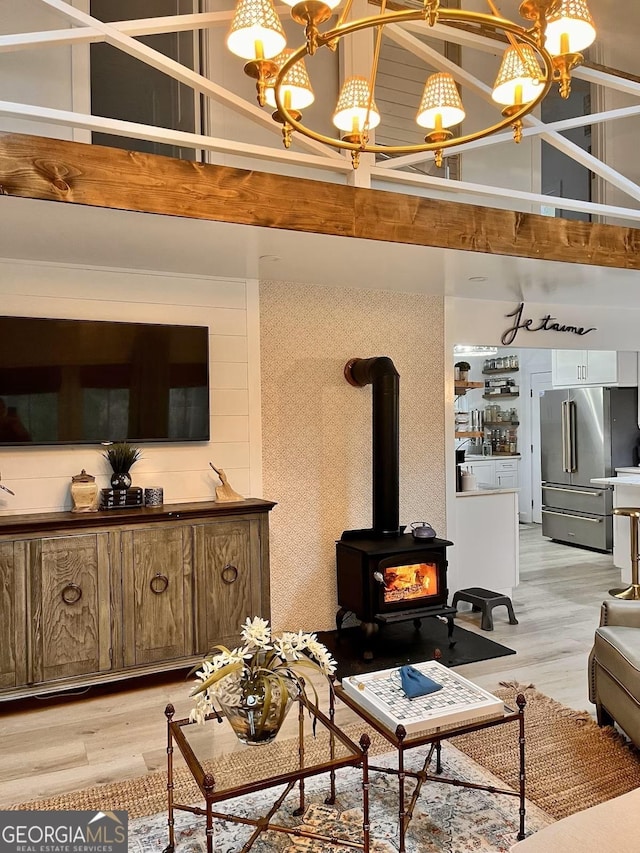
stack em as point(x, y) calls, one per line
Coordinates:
point(99, 738)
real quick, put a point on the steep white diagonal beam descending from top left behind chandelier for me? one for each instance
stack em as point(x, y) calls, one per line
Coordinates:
point(185, 75)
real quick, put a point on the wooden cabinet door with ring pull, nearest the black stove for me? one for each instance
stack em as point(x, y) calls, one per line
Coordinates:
point(227, 591)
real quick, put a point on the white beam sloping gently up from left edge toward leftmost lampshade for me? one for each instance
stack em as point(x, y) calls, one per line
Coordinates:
point(87, 34)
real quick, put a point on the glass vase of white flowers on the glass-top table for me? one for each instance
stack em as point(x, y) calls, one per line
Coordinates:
point(256, 683)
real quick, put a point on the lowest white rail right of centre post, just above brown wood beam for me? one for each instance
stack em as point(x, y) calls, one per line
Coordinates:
point(448, 185)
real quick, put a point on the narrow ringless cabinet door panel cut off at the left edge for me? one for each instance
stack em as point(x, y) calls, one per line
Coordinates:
point(12, 621)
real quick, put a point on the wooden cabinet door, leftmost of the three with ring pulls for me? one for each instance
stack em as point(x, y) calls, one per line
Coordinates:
point(70, 606)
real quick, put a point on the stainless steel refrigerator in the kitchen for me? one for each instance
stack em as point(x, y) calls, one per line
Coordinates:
point(584, 433)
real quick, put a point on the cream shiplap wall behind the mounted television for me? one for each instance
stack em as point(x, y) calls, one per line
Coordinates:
point(41, 476)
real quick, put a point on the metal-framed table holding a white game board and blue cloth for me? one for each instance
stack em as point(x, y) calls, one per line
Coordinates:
point(459, 708)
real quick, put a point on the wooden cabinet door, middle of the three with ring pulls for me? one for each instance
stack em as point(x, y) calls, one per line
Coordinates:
point(156, 595)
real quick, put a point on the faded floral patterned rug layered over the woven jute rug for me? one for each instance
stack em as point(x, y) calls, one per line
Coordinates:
point(447, 819)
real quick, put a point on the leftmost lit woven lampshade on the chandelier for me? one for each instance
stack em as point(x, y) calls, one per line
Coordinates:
point(256, 31)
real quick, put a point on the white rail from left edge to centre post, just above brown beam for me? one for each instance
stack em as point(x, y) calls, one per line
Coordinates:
point(134, 130)
